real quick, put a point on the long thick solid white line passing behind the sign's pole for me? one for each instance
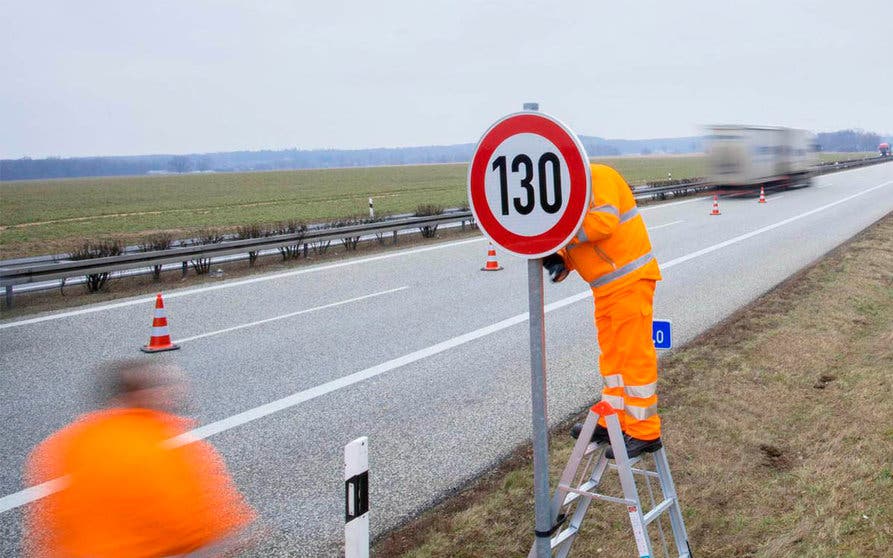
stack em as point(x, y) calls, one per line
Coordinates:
point(32, 493)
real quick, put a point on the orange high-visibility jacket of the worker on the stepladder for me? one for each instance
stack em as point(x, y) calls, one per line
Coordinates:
point(612, 248)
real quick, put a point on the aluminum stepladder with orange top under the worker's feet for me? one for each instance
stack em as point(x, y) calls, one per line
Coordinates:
point(576, 490)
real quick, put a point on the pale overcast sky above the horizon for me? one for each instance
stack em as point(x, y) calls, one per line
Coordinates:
point(121, 77)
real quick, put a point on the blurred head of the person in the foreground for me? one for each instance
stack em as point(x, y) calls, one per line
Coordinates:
point(142, 384)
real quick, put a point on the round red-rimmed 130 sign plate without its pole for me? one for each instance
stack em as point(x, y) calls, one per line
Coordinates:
point(528, 184)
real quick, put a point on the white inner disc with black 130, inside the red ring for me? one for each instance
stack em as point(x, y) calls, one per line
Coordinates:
point(528, 185)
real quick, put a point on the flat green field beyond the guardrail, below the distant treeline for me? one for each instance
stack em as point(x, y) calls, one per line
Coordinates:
point(51, 216)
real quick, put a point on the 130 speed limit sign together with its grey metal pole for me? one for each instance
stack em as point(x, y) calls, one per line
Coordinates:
point(529, 189)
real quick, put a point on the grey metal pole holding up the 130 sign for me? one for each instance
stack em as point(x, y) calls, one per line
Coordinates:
point(536, 305)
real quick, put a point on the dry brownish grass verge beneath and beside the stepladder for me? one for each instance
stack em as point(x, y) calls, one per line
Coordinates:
point(777, 424)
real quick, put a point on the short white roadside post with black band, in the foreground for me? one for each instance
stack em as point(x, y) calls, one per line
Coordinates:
point(356, 499)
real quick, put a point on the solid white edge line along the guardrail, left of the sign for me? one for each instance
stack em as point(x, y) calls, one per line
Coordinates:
point(187, 292)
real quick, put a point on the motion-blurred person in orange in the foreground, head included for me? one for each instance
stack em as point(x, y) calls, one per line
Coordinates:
point(126, 489)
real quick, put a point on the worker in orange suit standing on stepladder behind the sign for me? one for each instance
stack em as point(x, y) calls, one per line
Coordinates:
point(612, 252)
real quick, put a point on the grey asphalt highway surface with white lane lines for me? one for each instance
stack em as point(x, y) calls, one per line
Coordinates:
point(417, 349)
